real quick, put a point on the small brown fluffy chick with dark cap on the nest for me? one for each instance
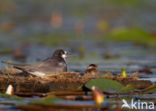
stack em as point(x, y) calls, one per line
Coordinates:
point(92, 70)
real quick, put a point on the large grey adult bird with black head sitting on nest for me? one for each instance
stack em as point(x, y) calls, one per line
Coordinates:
point(52, 65)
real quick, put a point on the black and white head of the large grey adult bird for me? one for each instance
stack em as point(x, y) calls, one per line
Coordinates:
point(60, 53)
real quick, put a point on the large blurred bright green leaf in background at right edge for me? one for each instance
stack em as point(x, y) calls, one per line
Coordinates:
point(133, 34)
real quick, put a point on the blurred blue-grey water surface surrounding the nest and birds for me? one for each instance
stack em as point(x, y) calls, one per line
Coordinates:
point(26, 25)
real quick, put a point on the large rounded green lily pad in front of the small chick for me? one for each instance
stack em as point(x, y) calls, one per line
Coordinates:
point(104, 84)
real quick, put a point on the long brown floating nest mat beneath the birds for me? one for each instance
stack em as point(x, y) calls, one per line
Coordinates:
point(71, 81)
